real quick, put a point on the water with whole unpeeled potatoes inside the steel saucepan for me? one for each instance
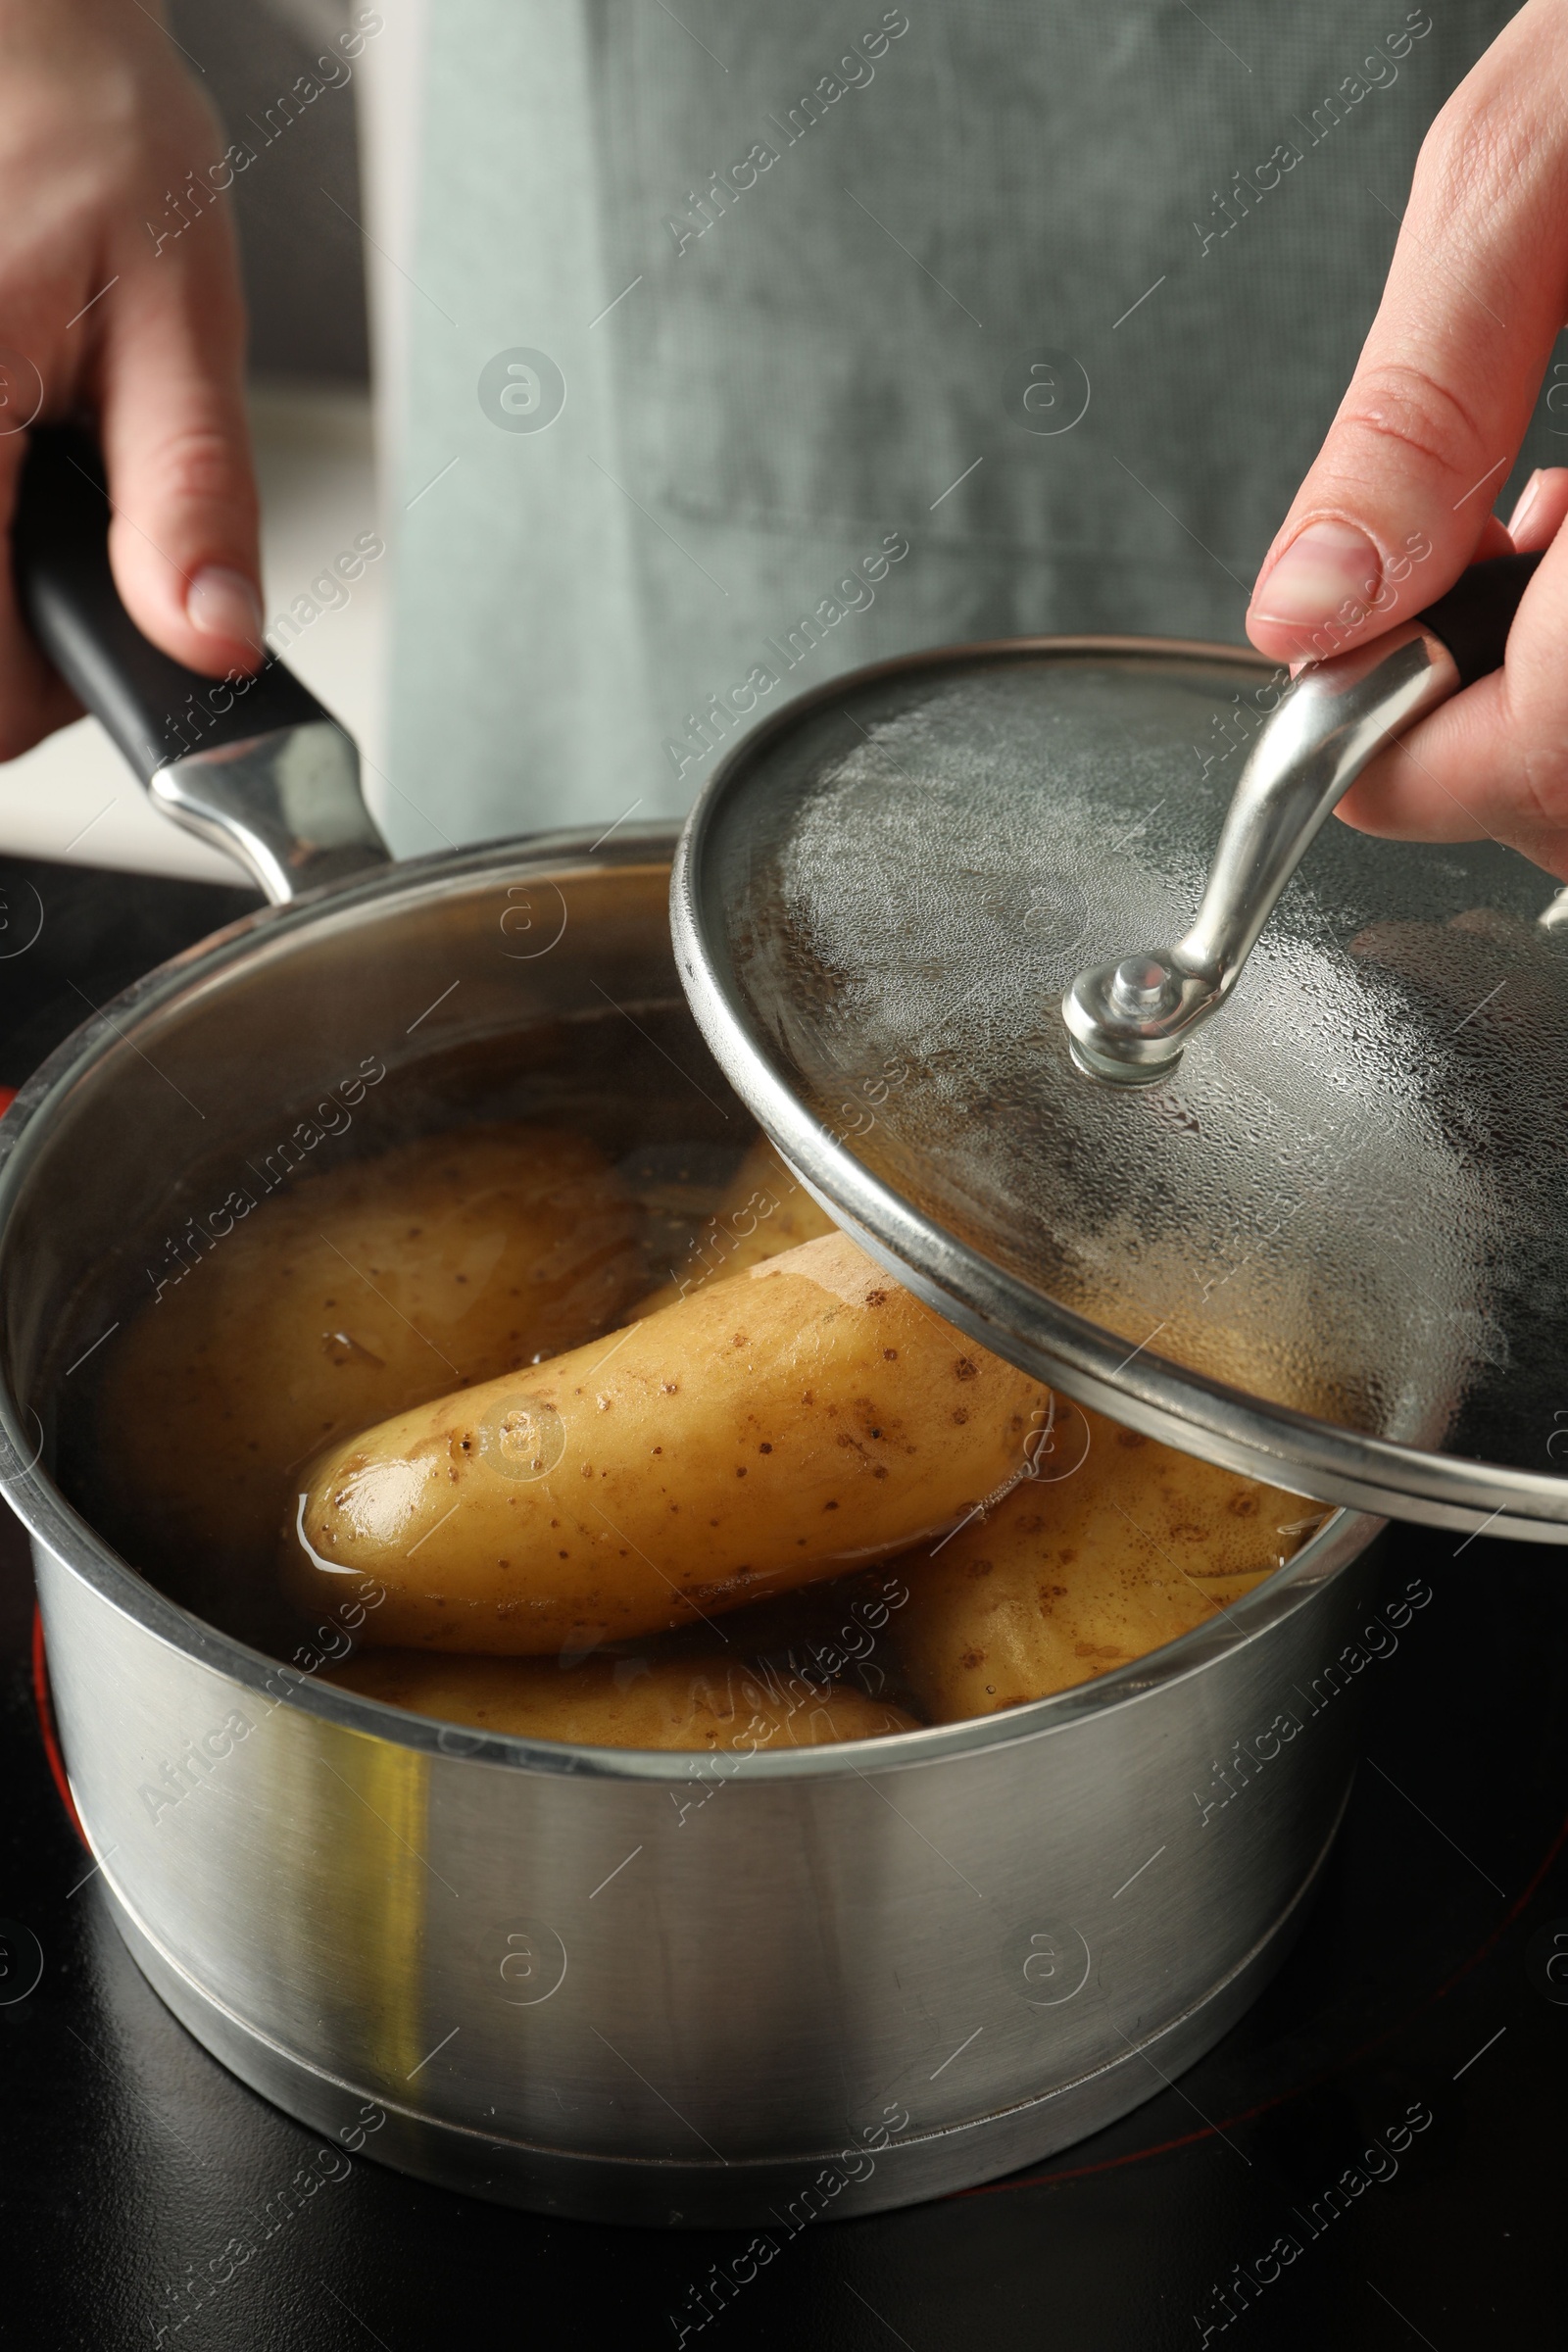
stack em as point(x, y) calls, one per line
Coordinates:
point(547, 1401)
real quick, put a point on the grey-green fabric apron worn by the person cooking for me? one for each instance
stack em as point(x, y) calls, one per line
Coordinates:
point(760, 347)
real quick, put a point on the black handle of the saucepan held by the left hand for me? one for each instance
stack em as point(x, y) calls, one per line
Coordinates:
point(152, 707)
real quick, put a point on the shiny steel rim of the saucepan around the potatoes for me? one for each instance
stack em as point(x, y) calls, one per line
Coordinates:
point(69, 1537)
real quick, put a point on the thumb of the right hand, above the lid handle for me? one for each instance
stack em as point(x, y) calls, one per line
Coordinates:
point(1402, 490)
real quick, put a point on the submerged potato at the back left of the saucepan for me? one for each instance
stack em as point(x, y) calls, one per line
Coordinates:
point(344, 1299)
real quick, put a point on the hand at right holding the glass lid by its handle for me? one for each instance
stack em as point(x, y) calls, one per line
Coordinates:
point(1426, 436)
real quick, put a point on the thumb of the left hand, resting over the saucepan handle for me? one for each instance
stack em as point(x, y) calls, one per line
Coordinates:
point(180, 474)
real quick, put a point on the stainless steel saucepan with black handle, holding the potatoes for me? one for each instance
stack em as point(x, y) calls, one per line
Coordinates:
point(608, 1984)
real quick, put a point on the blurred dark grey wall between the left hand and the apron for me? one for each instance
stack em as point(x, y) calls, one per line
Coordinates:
point(297, 206)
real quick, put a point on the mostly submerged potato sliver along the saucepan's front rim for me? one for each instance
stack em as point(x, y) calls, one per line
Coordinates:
point(704, 1702)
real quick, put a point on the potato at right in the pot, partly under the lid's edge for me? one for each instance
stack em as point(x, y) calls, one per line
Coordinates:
point(1080, 1575)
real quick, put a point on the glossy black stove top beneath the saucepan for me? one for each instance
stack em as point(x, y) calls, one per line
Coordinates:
point(1374, 2158)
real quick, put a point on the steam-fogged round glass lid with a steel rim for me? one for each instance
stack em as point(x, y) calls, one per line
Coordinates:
point(1329, 1245)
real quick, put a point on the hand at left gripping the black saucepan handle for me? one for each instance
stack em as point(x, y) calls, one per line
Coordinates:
point(112, 309)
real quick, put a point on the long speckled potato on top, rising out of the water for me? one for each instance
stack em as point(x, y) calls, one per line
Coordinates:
point(770, 1429)
